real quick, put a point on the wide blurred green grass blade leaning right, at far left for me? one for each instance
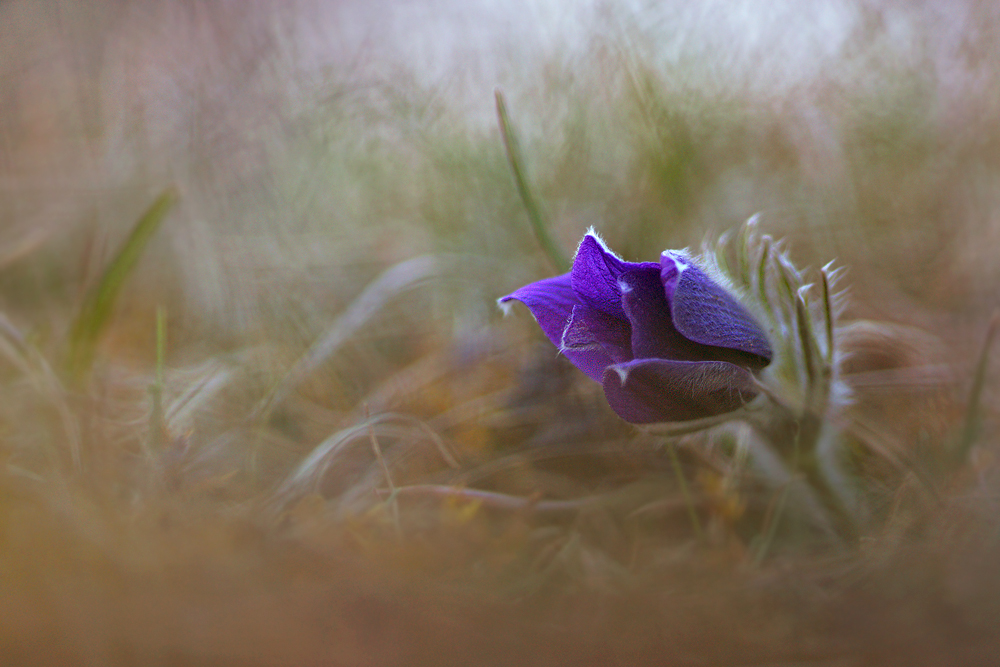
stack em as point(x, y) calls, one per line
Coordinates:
point(99, 303)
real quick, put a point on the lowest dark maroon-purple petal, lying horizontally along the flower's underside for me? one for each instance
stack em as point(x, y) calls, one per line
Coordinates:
point(645, 391)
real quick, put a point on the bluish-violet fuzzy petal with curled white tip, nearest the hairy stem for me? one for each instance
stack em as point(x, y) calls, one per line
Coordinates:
point(703, 311)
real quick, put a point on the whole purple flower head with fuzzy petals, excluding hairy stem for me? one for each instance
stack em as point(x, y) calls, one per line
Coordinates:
point(666, 341)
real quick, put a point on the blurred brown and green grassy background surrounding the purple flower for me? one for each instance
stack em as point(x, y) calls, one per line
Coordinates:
point(227, 422)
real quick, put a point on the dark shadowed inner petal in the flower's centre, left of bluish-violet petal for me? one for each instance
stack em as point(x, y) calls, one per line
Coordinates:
point(653, 332)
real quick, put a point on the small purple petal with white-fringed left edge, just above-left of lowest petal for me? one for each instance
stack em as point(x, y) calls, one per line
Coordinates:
point(593, 340)
